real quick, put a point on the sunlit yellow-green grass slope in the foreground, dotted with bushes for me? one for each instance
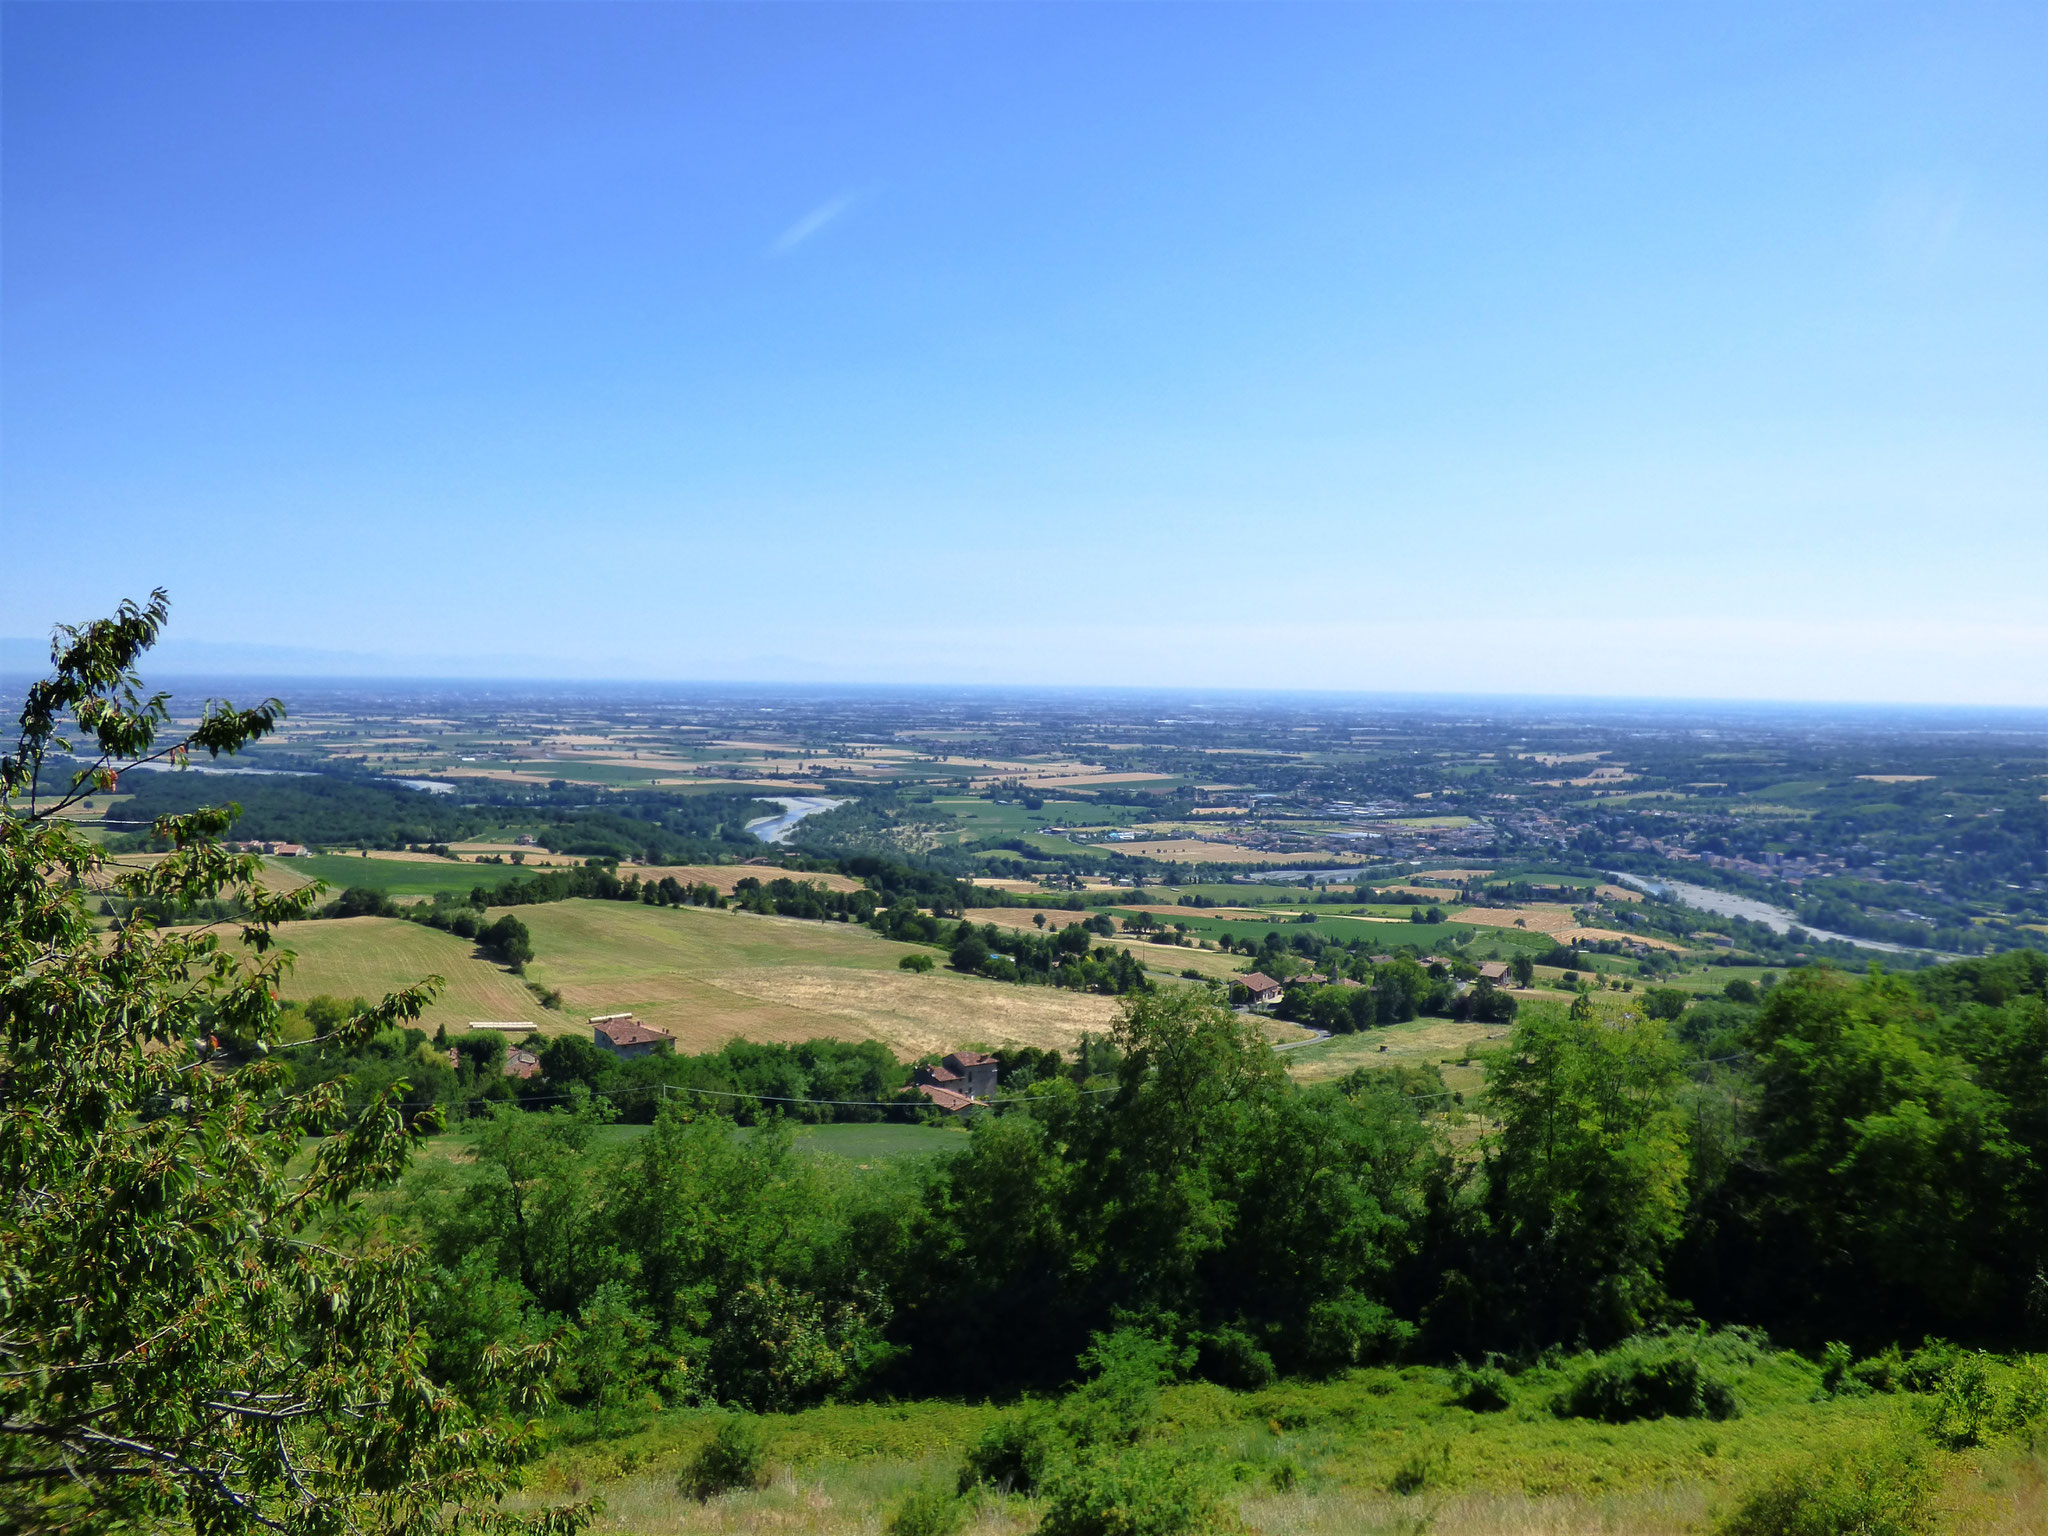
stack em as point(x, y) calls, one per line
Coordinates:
point(1369, 1453)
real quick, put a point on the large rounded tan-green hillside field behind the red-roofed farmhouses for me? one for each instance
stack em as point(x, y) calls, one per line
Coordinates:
point(699, 974)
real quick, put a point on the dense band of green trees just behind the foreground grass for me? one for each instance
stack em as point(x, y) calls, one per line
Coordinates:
point(1869, 1166)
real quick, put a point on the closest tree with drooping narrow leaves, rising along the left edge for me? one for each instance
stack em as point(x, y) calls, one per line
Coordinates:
point(185, 1334)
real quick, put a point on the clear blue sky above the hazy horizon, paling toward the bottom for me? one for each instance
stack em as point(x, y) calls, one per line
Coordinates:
point(1687, 351)
